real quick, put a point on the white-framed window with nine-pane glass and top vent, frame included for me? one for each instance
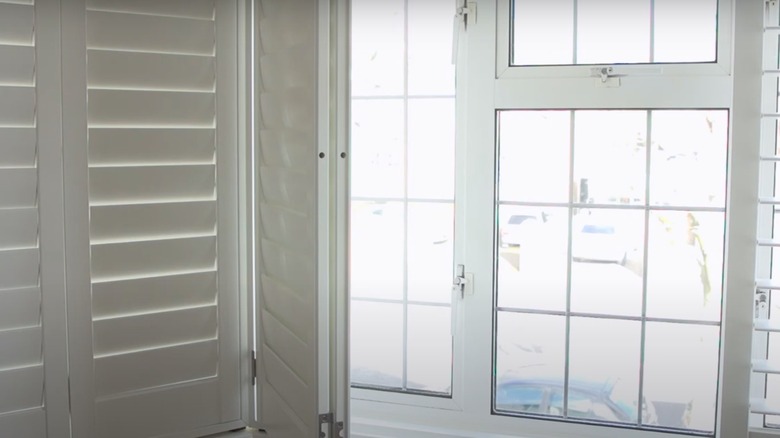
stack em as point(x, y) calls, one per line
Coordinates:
point(601, 207)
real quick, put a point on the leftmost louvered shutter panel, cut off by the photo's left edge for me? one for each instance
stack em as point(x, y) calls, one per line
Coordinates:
point(21, 332)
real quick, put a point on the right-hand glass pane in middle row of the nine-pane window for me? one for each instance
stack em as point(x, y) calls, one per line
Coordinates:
point(685, 265)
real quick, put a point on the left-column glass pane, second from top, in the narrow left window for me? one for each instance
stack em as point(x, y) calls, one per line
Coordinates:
point(377, 166)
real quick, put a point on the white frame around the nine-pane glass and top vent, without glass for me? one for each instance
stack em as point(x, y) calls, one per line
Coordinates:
point(736, 77)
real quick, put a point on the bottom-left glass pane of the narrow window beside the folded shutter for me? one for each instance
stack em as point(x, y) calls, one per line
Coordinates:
point(376, 337)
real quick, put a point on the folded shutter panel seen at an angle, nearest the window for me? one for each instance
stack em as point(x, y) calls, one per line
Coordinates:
point(292, 373)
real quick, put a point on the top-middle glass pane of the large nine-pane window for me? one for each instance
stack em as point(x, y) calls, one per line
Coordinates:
point(610, 156)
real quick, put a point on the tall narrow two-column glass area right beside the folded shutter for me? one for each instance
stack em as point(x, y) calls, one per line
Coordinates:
point(402, 195)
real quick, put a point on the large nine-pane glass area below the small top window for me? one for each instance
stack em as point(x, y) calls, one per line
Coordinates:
point(609, 265)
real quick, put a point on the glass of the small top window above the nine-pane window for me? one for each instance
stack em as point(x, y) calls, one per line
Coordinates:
point(568, 32)
